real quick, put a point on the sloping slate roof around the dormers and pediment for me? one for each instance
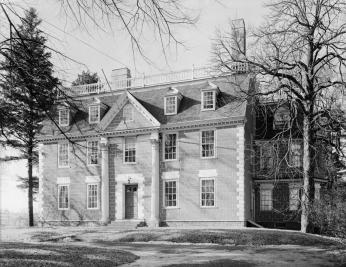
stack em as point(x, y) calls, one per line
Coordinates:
point(228, 105)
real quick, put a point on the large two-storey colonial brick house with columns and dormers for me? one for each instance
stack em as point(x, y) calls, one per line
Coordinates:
point(172, 149)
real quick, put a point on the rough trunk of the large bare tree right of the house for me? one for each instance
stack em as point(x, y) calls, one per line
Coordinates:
point(308, 179)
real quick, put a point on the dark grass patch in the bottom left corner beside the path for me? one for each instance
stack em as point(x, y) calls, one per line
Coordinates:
point(25, 254)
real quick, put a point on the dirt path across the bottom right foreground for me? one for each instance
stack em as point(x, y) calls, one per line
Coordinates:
point(164, 254)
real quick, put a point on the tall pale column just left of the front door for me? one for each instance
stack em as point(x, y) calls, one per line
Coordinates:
point(104, 180)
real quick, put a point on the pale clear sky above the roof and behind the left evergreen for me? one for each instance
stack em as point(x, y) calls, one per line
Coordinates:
point(103, 50)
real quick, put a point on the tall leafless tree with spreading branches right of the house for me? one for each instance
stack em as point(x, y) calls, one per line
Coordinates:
point(298, 55)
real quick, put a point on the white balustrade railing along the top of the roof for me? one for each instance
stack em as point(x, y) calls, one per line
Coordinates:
point(145, 81)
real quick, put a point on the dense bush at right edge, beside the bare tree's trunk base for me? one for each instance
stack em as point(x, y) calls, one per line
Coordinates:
point(328, 214)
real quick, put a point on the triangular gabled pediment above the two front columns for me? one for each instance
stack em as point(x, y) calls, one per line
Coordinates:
point(116, 119)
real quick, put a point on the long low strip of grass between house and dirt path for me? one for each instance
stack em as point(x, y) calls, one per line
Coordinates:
point(243, 237)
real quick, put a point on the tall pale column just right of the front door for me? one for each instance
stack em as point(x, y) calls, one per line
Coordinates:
point(154, 218)
